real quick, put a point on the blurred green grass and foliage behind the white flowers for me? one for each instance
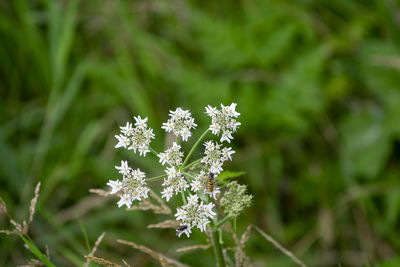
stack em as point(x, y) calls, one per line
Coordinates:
point(317, 84)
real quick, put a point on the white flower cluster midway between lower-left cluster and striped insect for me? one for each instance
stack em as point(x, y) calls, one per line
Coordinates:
point(175, 182)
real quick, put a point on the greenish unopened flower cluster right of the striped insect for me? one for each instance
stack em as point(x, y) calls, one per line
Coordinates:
point(235, 199)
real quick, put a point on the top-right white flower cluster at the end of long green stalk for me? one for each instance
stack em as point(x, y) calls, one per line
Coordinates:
point(223, 120)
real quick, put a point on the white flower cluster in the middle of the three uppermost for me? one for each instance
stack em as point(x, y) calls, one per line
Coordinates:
point(180, 123)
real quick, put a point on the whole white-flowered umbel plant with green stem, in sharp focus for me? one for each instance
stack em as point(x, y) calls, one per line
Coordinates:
point(195, 180)
